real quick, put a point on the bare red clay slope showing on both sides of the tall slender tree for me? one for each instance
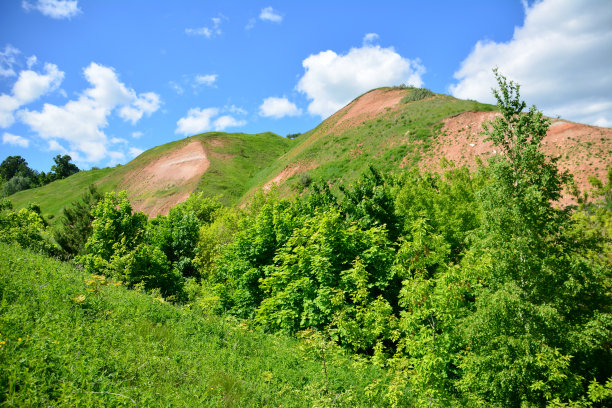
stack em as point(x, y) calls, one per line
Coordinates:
point(583, 150)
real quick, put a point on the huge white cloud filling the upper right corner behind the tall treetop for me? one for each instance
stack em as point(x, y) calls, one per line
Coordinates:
point(560, 56)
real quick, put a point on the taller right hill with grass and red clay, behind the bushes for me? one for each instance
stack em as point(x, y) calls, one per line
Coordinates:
point(385, 129)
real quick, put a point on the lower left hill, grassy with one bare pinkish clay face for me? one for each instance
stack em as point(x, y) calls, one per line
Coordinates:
point(224, 164)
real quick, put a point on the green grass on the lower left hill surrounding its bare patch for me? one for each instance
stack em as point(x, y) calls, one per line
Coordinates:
point(235, 160)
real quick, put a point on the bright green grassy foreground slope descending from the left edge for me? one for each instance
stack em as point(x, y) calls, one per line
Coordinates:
point(67, 340)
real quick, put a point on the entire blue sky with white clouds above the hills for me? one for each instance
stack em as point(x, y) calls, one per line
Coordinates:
point(103, 80)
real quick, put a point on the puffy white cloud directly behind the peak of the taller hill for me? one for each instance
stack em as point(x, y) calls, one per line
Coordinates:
point(332, 80)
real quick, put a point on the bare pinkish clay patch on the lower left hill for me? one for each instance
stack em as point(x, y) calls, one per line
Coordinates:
point(179, 170)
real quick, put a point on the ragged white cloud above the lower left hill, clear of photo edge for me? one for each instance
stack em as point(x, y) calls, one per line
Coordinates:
point(80, 122)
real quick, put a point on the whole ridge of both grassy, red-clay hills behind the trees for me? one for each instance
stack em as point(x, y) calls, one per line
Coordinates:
point(389, 128)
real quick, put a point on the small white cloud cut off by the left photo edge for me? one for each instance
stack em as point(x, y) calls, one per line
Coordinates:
point(29, 86)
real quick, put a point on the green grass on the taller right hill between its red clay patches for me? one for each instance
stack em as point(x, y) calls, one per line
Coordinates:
point(387, 141)
